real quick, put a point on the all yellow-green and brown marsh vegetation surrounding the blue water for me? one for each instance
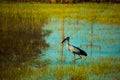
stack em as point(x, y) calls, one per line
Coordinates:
point(22, 40)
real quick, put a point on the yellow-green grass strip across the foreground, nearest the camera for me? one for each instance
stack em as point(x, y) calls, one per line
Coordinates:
point(107, 68)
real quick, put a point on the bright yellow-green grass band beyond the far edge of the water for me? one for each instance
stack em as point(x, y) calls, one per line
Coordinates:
point(103, 12)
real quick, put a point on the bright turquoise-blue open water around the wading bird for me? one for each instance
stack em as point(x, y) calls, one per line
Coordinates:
point(106, 38)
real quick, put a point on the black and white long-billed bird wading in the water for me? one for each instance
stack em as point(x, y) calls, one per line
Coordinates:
point(75, 50)
